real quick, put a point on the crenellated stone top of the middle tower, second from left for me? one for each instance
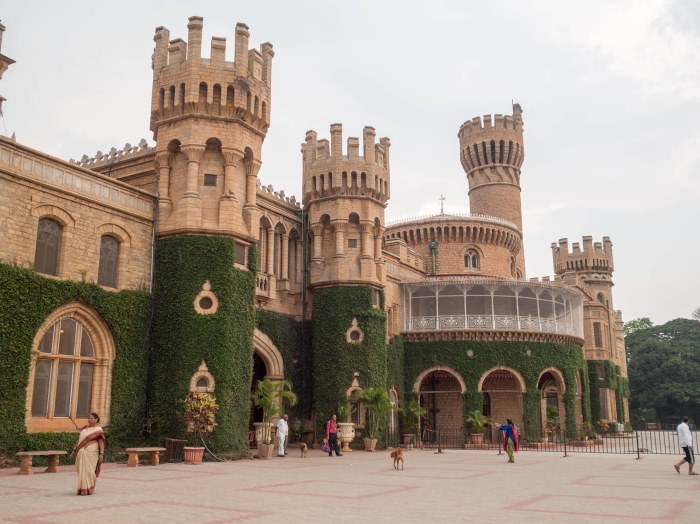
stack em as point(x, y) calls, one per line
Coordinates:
point(359, 171)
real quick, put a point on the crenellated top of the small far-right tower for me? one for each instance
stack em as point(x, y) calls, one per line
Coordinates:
point(589, 257)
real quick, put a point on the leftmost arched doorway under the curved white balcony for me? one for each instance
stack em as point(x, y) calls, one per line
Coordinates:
point(440, 392)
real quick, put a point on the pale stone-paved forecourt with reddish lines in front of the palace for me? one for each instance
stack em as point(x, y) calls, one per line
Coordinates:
point(455, 486)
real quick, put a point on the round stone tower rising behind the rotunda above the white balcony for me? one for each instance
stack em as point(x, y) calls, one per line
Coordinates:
point(492, 153)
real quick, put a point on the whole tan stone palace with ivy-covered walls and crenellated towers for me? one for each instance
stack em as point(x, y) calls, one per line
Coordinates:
point(130, 278)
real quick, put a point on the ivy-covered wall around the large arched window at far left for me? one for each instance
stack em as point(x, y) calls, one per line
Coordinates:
point(27, 300)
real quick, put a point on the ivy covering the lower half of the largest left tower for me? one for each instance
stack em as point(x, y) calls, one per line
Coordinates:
point(182, 338)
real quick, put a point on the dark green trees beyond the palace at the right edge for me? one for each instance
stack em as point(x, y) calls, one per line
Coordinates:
point(664, 369)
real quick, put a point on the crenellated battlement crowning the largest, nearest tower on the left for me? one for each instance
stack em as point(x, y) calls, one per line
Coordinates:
point(185, 83)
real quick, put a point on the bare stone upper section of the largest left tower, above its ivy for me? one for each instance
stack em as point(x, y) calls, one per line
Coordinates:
point(209, 118)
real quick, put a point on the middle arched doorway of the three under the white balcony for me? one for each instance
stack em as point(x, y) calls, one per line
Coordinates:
point(503, 397)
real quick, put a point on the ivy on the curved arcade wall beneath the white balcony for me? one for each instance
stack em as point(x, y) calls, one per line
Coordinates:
point(569, 359)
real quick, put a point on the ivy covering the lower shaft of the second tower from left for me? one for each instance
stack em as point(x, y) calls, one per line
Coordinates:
point(335, 359)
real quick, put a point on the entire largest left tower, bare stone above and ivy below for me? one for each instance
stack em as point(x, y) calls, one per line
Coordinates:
point(209, 118)
